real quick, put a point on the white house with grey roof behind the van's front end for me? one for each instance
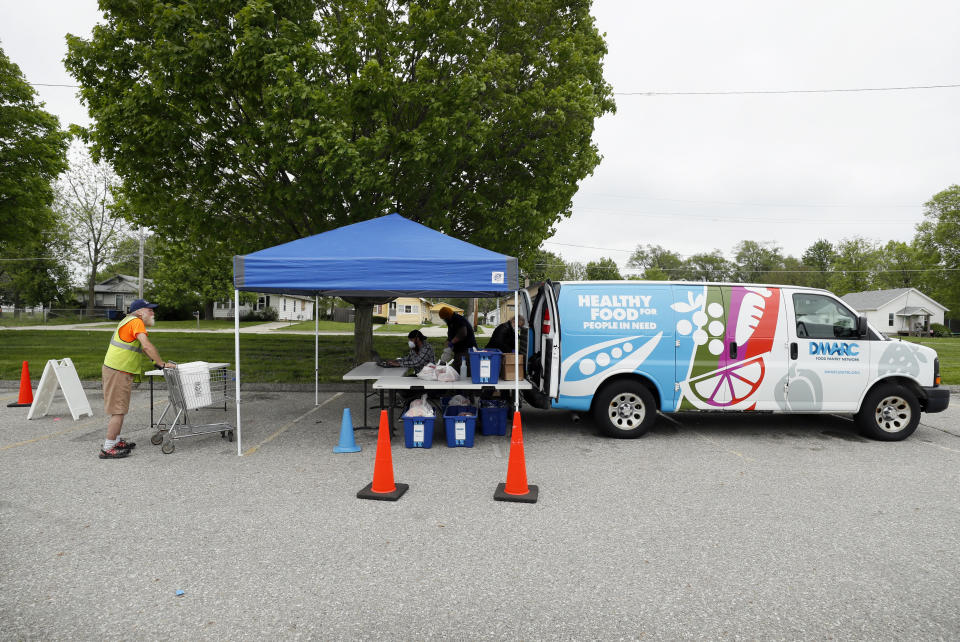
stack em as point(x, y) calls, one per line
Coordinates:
point(900, 310)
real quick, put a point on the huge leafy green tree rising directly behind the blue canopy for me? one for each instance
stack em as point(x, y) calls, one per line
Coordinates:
point(239, 124)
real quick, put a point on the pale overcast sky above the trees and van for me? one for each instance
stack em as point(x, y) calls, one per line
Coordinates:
point(695, 173)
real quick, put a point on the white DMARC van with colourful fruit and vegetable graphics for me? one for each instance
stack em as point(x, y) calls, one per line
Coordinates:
point(624, 350)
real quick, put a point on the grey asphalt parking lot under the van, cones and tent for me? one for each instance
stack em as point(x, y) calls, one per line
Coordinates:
point(711, 527)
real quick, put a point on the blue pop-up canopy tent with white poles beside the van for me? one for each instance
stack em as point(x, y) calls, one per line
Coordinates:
point(386, 257)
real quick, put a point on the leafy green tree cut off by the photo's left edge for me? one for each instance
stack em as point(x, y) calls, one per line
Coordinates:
point(32, 154)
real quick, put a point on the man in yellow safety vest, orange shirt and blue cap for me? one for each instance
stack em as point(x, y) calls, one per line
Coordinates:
point(128, 355)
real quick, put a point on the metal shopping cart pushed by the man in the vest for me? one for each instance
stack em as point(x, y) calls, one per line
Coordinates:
point(192, 389)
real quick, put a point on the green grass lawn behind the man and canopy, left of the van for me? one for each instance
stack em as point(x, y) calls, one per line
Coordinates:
point(264, 358)
